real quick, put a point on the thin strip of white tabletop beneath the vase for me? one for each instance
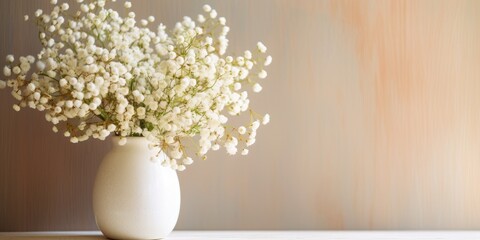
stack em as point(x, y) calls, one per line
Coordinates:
point(257, 235)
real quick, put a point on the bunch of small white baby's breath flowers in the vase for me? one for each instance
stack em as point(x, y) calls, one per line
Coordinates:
point(100, 74)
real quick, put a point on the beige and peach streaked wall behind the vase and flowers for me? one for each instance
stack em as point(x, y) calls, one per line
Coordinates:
point(375, 111)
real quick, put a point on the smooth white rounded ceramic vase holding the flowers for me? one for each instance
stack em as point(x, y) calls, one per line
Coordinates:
point(133, 196)
